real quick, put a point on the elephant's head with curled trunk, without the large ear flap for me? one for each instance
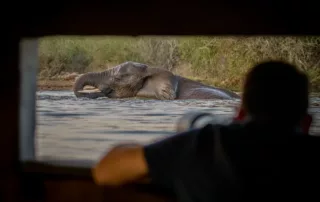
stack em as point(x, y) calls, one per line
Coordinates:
point(122, 81)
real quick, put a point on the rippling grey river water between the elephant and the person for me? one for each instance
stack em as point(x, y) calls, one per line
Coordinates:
point(69, 128)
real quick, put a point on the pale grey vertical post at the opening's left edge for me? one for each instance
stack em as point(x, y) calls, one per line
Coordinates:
point(28, 66)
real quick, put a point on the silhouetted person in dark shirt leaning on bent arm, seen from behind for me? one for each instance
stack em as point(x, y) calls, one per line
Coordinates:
point(266, 154)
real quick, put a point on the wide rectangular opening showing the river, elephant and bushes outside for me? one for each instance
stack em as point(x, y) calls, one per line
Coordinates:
point(58, 125)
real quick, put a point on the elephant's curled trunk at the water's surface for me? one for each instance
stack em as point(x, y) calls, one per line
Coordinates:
point(90, 79)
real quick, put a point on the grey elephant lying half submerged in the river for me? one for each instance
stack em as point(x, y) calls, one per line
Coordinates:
point(132, 79)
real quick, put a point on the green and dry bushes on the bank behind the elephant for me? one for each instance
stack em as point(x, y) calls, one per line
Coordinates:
point(219, 61)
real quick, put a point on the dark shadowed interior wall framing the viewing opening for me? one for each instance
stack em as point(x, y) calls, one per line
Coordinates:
point(24, 179)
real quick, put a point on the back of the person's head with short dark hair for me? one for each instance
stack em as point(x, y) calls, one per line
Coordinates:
point(276, 91)
